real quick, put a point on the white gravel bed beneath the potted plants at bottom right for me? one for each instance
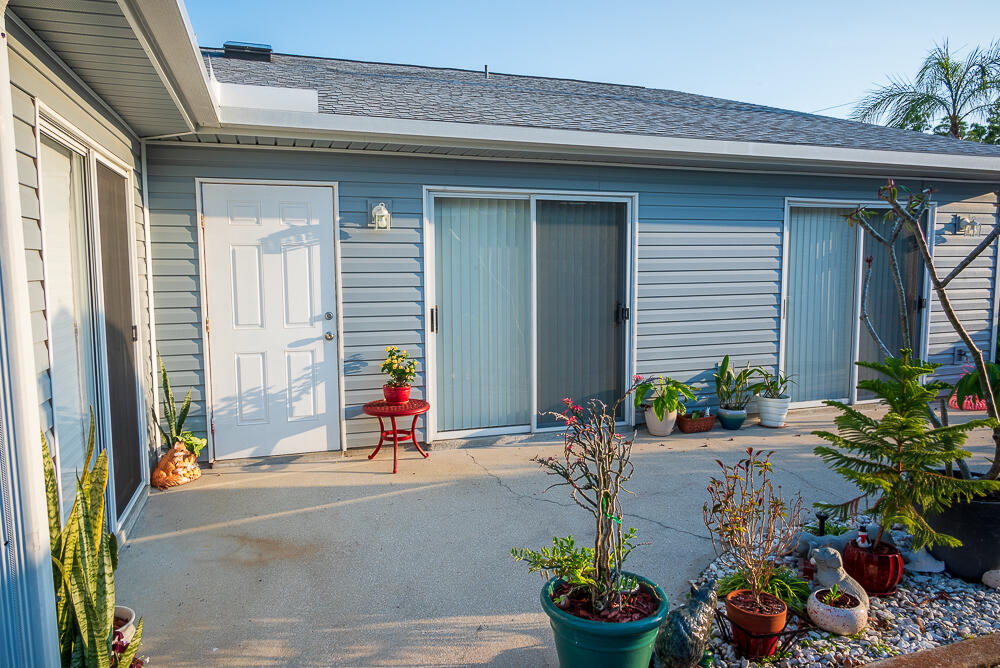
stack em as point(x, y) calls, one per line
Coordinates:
point(928, 610)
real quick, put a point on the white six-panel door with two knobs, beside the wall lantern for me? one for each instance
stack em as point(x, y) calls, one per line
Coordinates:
point(272, 321)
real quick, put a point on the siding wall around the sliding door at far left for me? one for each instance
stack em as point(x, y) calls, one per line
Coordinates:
point(34, 74)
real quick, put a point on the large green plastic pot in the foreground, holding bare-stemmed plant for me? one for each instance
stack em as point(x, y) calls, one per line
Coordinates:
point(582, 643)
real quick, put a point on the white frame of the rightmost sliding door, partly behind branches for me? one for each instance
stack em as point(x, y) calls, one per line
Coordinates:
point(824, 203)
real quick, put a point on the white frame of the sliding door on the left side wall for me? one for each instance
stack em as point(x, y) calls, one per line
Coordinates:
point(50, 123)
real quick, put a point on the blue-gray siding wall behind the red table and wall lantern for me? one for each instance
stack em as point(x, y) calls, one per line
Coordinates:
point(709, 256)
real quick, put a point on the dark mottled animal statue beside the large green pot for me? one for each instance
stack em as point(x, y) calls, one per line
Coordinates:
point(685, 633)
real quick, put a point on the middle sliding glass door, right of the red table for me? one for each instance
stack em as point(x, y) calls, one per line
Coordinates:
point(531, 305)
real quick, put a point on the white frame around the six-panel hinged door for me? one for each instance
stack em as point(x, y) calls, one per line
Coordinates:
point(334, 187)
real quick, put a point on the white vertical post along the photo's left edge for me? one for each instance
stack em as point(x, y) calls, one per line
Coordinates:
point(21, 411)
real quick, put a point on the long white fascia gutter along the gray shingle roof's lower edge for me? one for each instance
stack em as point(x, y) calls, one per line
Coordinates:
point(242, 120)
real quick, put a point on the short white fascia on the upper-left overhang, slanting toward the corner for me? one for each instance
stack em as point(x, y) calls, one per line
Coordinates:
point(167, 29)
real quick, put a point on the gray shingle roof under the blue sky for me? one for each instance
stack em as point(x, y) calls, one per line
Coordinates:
point(438, 94)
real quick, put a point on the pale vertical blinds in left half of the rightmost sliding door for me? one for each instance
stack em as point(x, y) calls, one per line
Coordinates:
point(821, 303)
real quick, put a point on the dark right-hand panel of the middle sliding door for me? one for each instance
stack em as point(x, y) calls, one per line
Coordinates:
point(581, 279)
